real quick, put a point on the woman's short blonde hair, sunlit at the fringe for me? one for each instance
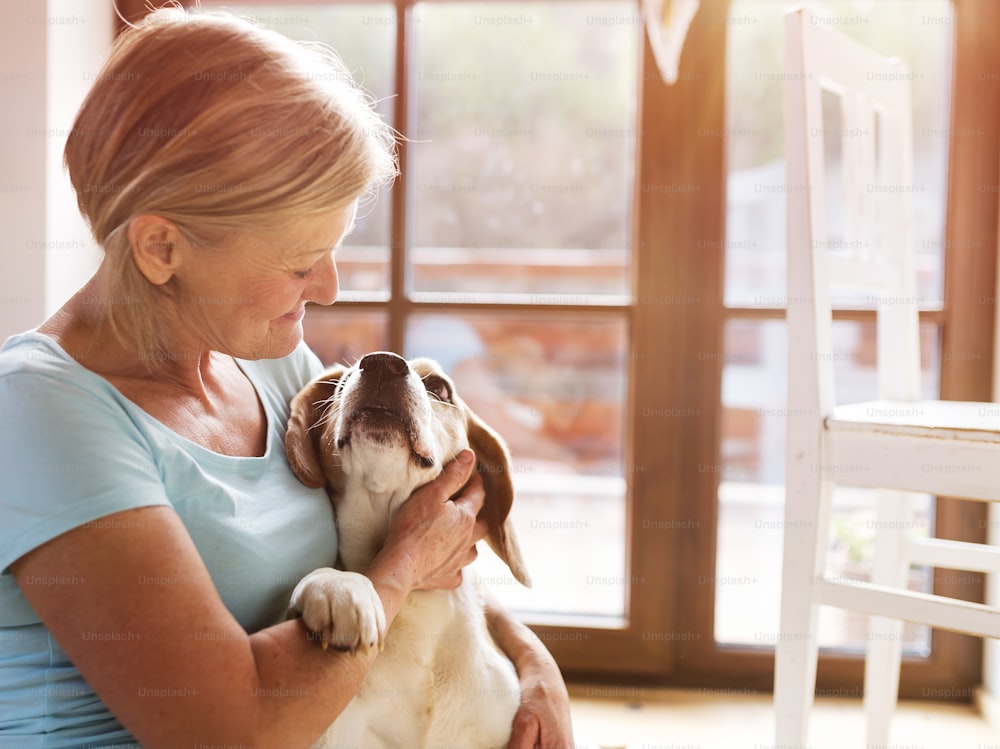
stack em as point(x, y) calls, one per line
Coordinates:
point(222, 127)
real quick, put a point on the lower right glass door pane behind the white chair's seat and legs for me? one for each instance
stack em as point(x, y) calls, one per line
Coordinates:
point(752, 476)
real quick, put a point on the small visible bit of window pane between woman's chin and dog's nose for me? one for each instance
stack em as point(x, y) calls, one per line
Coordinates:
point(337, 335)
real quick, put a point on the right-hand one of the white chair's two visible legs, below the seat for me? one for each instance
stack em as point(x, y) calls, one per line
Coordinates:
point(890, 566)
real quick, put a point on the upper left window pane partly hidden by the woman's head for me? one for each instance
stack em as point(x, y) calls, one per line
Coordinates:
point(365, 38)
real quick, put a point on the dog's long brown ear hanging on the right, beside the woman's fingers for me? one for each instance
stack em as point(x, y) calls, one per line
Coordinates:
point(493, 464)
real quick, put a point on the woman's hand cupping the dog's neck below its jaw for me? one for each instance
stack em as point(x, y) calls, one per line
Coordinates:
point(434, 536)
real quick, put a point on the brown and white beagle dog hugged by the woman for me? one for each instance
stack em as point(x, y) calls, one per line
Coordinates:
point(371, 434)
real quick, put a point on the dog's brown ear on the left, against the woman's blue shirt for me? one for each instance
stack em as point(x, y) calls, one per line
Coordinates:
point(303, 435)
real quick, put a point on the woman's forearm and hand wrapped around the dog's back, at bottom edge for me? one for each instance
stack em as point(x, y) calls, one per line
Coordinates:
point(543, 718)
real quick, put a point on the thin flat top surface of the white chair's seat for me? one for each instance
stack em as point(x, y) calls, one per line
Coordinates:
point(956, 420)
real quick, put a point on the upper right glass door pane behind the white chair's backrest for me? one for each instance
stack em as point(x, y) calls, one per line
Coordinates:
point(920, 31)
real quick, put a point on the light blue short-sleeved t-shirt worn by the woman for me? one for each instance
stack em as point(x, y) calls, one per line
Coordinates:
point(73, 450)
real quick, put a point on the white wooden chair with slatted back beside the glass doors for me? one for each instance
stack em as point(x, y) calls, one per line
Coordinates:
point(898, 444)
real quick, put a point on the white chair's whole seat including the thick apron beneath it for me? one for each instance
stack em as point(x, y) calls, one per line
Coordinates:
point(947, 448)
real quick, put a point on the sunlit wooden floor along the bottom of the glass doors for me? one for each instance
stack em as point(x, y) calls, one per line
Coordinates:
point(630, 718)
